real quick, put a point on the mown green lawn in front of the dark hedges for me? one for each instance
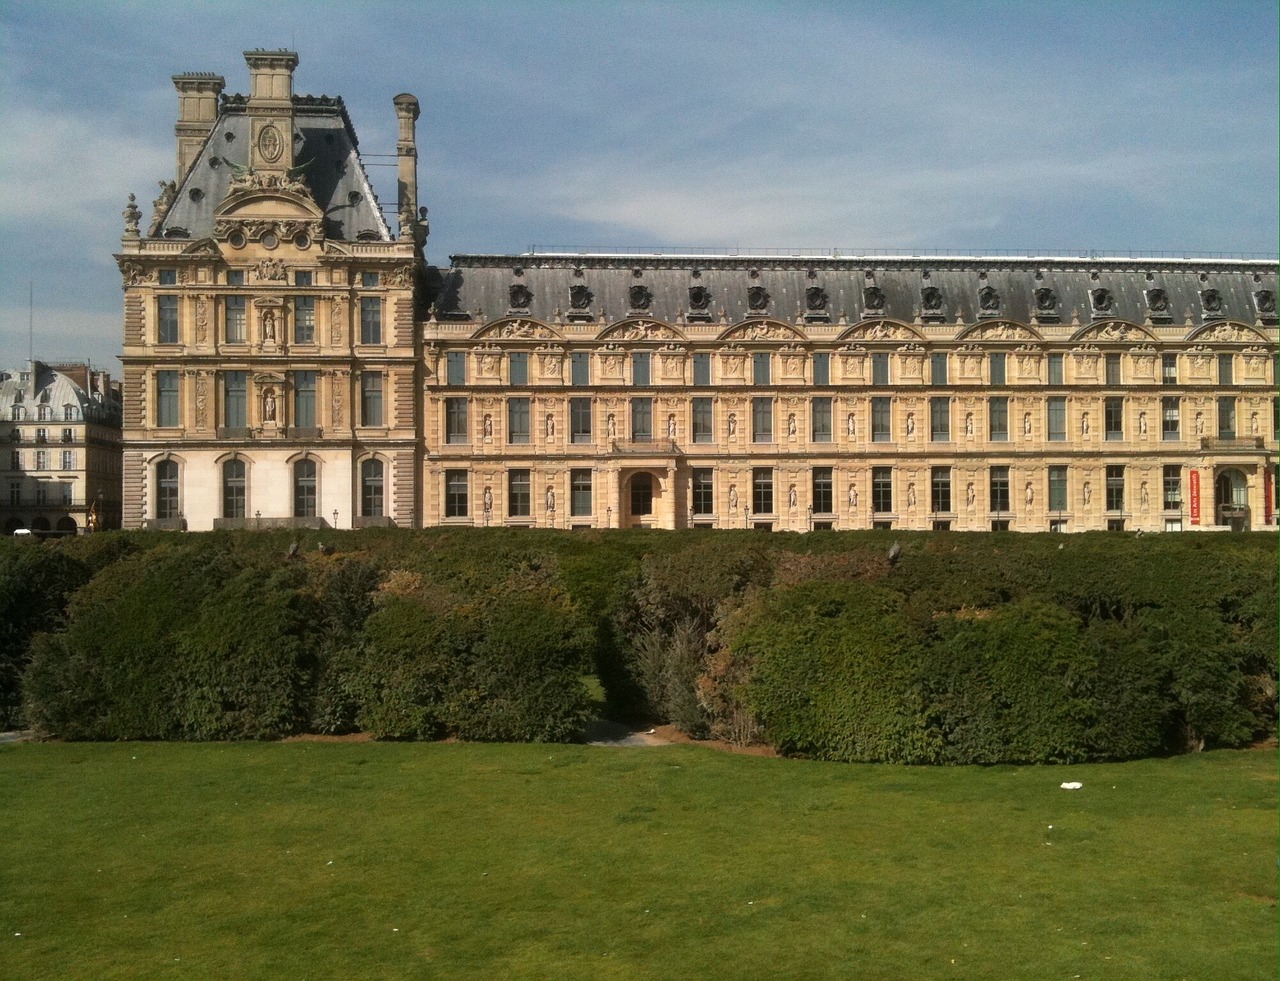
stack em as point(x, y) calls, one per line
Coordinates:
point(319, 860)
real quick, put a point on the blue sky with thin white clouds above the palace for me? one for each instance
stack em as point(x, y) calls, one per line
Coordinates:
point(1063, 127)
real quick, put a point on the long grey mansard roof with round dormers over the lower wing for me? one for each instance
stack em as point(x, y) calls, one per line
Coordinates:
point(477, 285)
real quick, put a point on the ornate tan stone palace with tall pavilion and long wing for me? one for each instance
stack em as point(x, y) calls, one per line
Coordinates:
point(291, 361)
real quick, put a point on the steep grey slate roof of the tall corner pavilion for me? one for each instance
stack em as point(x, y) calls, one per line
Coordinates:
point(328, 148)
